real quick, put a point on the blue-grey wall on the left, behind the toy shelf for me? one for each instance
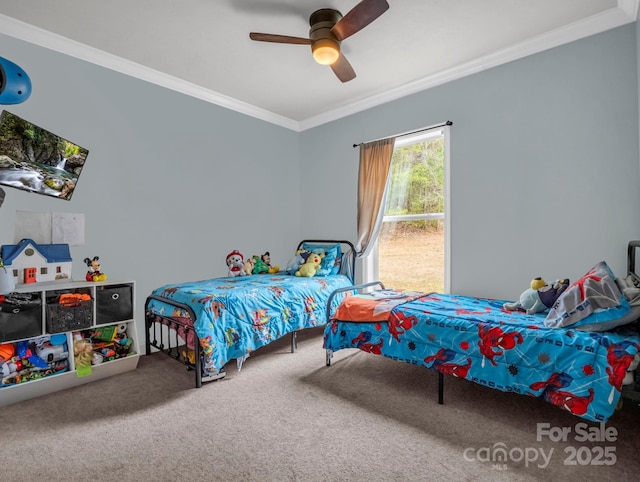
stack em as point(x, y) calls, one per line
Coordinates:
point(171, 184)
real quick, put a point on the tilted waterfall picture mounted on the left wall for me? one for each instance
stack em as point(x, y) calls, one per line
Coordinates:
point(35, 160)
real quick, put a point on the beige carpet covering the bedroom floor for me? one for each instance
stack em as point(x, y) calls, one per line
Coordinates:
point(288, 417)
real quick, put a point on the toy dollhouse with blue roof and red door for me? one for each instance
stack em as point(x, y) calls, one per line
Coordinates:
point(32, 262)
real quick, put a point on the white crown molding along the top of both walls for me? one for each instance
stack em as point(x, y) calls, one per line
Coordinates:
point(625, 12)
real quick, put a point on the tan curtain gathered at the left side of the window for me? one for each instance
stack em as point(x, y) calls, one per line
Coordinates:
point(375, 161)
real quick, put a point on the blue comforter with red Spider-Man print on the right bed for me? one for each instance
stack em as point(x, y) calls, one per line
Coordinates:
point(478, 340)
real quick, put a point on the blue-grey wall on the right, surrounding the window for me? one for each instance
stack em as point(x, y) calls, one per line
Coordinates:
point(544, 163)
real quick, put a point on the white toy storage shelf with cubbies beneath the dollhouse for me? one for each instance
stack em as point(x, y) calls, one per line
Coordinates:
point(112, 304)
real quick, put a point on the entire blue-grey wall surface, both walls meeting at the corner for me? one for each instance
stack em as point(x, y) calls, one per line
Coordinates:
point(545, 176)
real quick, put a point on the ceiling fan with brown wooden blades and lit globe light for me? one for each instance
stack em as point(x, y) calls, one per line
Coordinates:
point(328, 29)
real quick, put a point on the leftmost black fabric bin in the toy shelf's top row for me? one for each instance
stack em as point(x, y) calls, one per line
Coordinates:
point(20, 317)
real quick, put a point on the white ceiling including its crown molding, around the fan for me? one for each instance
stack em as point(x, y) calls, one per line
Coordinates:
point(202, 47)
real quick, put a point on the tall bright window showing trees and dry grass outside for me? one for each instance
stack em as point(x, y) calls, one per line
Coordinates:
point(411, 247)
